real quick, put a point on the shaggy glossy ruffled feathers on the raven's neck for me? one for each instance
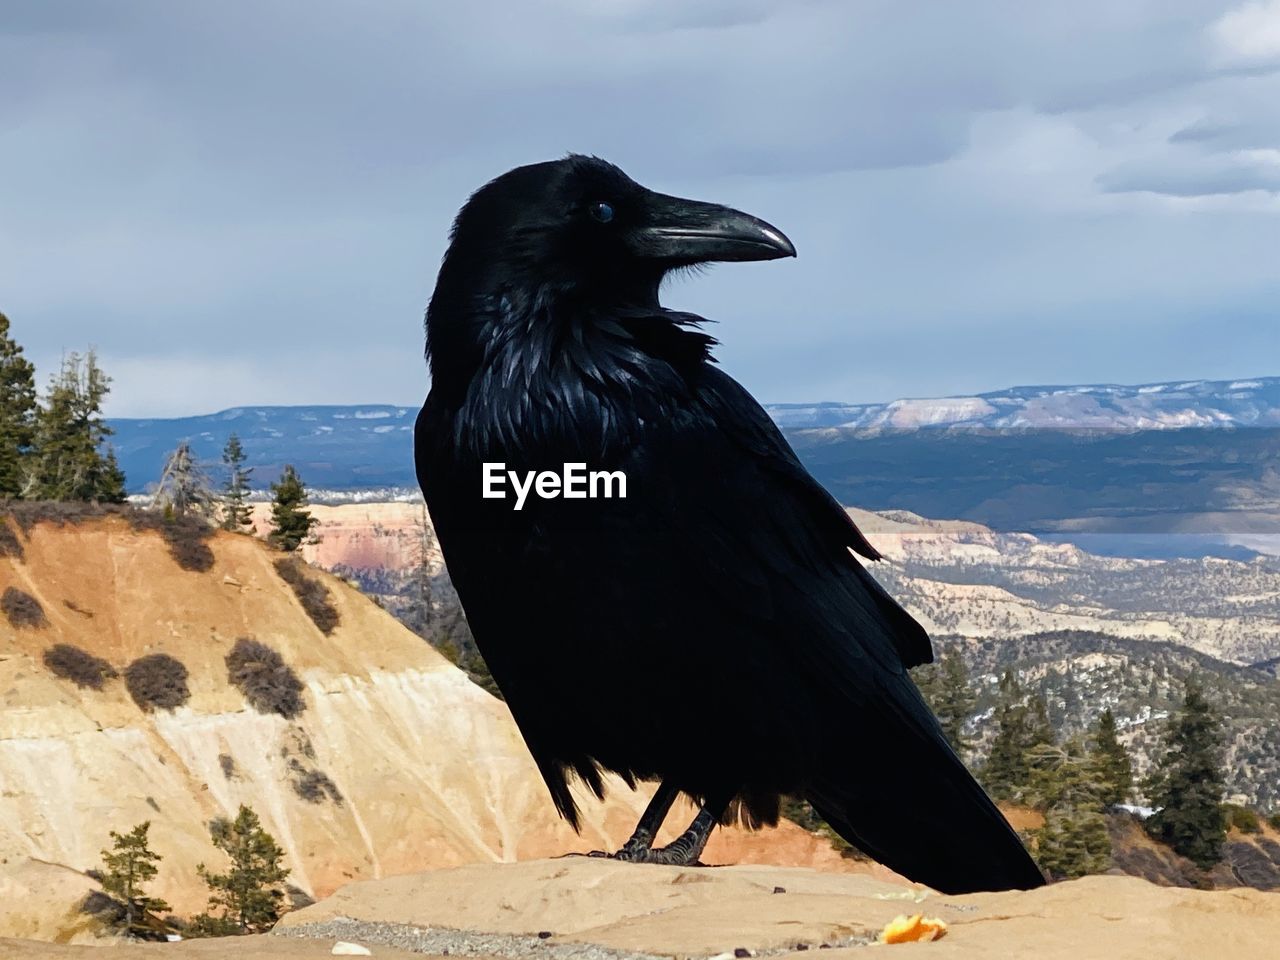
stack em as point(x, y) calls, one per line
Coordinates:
point(547, 373)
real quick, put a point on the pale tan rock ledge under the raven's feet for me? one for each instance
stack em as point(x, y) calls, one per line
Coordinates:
point(583, 909)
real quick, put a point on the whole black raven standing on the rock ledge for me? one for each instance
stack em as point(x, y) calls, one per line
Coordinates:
point(712, 629)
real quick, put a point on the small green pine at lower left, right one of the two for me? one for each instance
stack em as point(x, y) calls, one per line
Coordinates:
point(250, 894)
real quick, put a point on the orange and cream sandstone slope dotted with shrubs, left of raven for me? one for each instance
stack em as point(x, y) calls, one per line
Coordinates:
point(431, 769)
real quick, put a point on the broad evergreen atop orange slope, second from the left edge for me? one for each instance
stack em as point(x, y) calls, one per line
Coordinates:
point(68, 461)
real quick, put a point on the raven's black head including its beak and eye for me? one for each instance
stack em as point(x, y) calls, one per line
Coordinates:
point(582, 225)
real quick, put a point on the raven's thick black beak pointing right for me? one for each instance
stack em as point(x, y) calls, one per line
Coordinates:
point(693, 232)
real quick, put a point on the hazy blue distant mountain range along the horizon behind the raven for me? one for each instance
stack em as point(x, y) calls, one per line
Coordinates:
point(1156, 461)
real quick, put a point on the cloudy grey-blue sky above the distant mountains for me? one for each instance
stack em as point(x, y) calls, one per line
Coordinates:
point(246, 203)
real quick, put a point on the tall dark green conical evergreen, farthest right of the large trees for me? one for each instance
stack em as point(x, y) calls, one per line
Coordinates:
point(1187, 785)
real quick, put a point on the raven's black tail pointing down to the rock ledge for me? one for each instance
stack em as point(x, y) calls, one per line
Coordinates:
point(926, 817)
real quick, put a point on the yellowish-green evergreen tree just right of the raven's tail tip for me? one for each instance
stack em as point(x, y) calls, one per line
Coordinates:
point(1075, 840)
